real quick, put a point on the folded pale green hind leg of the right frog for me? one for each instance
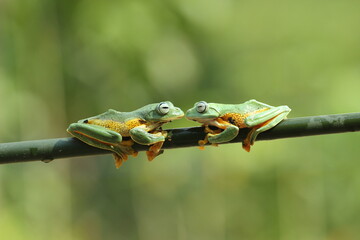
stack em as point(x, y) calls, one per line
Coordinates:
point(263, 121)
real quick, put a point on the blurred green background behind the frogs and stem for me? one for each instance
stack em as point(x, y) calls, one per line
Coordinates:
point(61, 61)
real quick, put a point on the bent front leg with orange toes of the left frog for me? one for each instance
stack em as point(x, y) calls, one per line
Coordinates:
point(141, 136)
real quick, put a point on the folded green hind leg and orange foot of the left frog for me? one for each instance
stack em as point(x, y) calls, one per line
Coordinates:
point(101, 137)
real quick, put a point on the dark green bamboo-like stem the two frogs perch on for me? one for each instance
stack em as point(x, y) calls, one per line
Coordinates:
point(49, 149)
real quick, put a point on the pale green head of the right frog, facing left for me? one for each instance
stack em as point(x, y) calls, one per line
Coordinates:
point(203, 112)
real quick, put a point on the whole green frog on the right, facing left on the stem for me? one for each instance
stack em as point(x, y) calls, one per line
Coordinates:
point(229, 118)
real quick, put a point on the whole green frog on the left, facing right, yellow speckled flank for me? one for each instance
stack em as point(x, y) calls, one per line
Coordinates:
point(117, 131)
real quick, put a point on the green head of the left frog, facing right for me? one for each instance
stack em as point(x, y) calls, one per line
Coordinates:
point(162, 112)
